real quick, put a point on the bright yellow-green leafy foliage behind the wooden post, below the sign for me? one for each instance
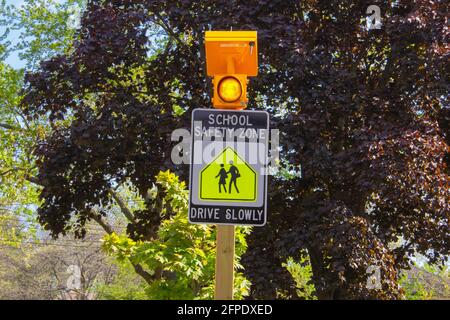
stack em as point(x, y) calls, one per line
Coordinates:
point(184, 252)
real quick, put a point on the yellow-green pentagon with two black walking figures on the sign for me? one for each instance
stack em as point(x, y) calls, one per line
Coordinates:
point(228, 178)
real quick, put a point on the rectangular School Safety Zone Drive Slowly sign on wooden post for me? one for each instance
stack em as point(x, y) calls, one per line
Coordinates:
point(228, 170)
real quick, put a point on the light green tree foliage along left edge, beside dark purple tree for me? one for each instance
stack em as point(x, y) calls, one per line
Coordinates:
point(43, 31)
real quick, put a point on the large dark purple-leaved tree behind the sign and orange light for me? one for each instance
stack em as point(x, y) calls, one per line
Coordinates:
point(365, 114)
